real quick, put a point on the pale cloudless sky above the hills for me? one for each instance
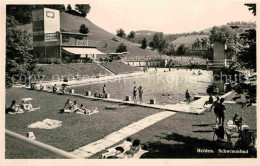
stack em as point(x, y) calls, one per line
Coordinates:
point(167, 16)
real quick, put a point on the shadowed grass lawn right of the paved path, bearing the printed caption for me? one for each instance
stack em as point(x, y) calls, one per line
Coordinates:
point(180, 135)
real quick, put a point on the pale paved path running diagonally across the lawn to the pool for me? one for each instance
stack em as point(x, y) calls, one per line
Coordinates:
point(113, 138)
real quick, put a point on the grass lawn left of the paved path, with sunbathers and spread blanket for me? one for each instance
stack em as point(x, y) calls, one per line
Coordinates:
point(76, 130)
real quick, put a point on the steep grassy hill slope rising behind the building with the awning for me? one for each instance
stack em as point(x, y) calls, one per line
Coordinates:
point(99, 37)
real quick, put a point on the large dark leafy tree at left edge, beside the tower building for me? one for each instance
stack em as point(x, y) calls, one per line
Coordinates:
point(20, 63)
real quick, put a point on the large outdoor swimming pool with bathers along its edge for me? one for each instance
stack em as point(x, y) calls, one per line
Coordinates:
point(166, 87)
